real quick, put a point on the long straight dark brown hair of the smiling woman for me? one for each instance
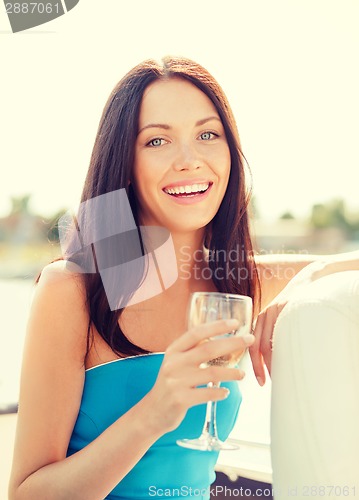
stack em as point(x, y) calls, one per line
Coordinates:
point(111, 169)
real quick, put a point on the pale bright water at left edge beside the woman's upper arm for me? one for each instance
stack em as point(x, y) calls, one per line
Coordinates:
point(15, 300)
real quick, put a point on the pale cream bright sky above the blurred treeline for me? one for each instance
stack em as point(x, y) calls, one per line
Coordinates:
point(288, 67)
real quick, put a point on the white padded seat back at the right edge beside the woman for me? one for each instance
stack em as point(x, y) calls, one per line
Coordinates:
point(315, 392)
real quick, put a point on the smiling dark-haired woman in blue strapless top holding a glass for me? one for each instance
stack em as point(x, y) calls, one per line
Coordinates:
point(91, 424)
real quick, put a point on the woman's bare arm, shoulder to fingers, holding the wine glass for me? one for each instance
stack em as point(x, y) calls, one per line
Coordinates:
point(51, 390)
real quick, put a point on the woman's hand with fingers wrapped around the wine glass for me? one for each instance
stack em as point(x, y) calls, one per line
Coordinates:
point(176, 388)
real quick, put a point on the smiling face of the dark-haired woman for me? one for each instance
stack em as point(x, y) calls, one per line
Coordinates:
point(182, 159)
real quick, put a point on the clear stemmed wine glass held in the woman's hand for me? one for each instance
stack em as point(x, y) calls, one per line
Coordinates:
point(206, 307)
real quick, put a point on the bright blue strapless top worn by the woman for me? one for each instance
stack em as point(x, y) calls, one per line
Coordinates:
point(166, 469)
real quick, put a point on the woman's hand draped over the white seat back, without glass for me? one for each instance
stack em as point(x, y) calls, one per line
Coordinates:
point(261, 350)
